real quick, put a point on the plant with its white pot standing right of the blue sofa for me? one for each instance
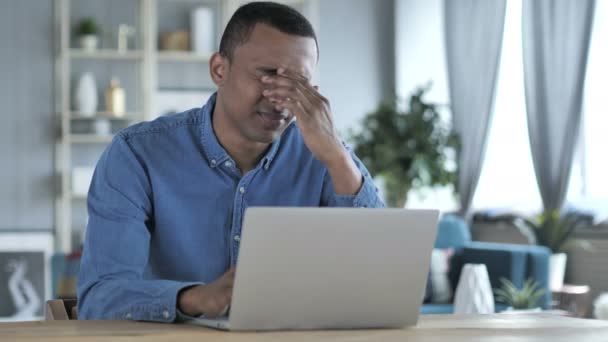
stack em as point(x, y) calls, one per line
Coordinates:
point(554, 230)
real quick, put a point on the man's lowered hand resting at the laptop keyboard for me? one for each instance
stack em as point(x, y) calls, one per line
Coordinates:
point(210, 299)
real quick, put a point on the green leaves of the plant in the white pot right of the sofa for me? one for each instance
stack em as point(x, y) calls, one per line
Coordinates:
point(554, 229)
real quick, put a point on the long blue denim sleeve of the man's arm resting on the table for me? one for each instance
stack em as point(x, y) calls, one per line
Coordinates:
point(111, 284)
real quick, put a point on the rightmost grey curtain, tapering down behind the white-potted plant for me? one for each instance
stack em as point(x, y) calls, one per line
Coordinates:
point(556, 35)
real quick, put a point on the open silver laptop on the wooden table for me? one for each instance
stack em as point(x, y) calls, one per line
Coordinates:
point(329, 268)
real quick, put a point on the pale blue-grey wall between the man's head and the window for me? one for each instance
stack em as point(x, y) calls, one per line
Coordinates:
point(356, 44)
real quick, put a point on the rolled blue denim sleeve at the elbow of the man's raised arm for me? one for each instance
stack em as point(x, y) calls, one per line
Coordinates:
point(367, 197)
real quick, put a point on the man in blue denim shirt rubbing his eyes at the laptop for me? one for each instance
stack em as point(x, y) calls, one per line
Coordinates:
point(167, 198)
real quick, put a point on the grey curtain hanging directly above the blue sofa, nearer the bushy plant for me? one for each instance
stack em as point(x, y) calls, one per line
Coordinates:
point(473, 39)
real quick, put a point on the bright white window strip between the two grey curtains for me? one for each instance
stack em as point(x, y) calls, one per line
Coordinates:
point(507, 176)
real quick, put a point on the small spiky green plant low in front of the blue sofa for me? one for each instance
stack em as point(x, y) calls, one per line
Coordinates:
point(525, 298)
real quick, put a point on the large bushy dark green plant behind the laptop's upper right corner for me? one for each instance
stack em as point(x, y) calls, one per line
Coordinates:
point(408, 149)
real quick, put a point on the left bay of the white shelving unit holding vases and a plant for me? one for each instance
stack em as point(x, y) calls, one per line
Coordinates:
point(102, 62)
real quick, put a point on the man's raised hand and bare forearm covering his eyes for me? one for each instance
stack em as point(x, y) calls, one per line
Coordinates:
point(291, 91)
